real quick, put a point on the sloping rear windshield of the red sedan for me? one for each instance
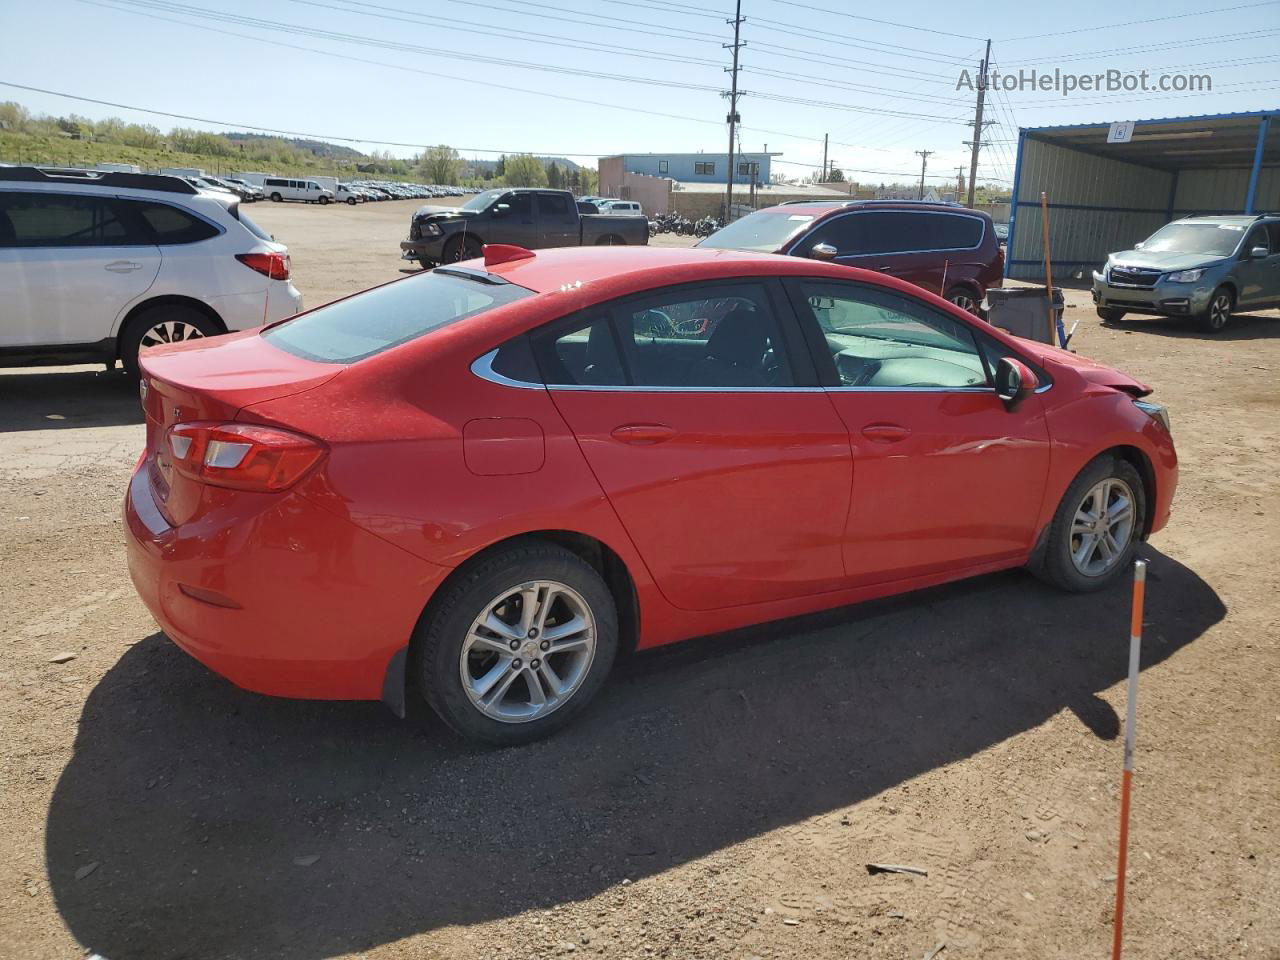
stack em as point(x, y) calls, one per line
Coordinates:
point(387, 317)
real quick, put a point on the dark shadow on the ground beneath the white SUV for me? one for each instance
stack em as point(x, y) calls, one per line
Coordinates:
point(52, 401)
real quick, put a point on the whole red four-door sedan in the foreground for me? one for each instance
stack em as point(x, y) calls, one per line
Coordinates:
point(479, 484)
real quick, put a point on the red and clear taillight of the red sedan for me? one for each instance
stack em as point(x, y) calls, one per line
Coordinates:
point(243, 456)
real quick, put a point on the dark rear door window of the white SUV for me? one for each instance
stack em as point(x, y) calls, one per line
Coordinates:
point(63, 221)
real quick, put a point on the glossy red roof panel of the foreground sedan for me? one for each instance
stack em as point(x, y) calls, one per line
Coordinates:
point(616, 271)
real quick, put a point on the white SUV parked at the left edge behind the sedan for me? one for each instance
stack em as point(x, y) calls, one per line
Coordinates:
point(95, 267)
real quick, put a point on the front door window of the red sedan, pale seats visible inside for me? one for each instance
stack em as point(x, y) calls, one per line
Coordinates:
point(880, 339)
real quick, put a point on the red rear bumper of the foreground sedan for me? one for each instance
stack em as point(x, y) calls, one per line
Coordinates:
point(277, 595)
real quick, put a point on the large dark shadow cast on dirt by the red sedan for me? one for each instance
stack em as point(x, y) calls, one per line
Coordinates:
point(196, 801)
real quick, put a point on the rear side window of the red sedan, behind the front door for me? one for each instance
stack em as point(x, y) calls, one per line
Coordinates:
point(696, 337)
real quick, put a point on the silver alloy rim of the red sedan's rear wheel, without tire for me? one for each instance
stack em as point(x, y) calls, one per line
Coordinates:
point(528, 652)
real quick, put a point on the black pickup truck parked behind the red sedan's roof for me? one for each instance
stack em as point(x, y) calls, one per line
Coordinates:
point(528, 218)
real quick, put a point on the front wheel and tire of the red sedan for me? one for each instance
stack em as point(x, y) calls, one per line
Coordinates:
point(1096, 528)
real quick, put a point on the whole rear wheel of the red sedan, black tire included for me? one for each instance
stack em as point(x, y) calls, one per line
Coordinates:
point(518, 646)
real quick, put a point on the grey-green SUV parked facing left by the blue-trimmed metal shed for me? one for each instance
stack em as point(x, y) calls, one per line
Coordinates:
point(1199, 267)
